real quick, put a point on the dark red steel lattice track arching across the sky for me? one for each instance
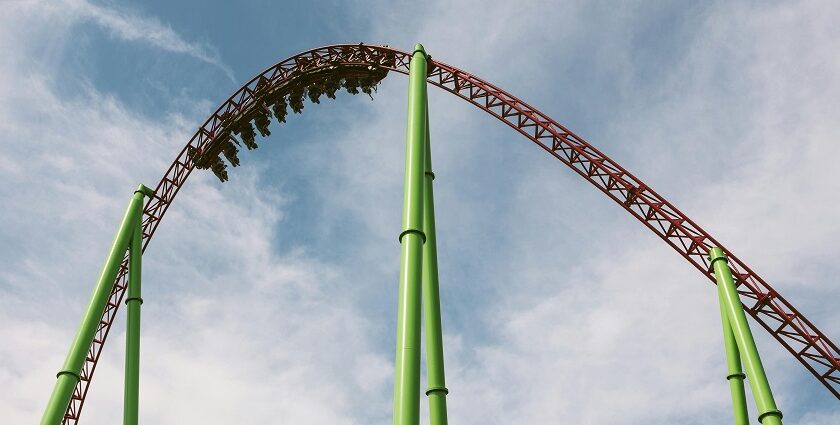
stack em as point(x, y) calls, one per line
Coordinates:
point(775, 314)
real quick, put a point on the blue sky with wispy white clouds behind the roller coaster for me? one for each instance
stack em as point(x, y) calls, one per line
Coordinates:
point(272, 298)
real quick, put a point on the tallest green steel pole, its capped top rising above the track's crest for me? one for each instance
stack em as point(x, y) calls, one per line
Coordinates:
point(407, 364)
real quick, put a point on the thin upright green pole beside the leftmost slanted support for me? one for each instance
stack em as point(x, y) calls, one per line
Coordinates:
point(132, 336)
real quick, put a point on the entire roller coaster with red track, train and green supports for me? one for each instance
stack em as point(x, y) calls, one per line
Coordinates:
point(358, 68)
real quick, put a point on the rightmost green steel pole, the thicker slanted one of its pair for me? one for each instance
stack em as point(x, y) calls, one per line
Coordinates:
point(768, 413)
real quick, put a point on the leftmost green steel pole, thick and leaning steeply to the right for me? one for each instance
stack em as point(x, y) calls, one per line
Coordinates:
point(69, 375)
